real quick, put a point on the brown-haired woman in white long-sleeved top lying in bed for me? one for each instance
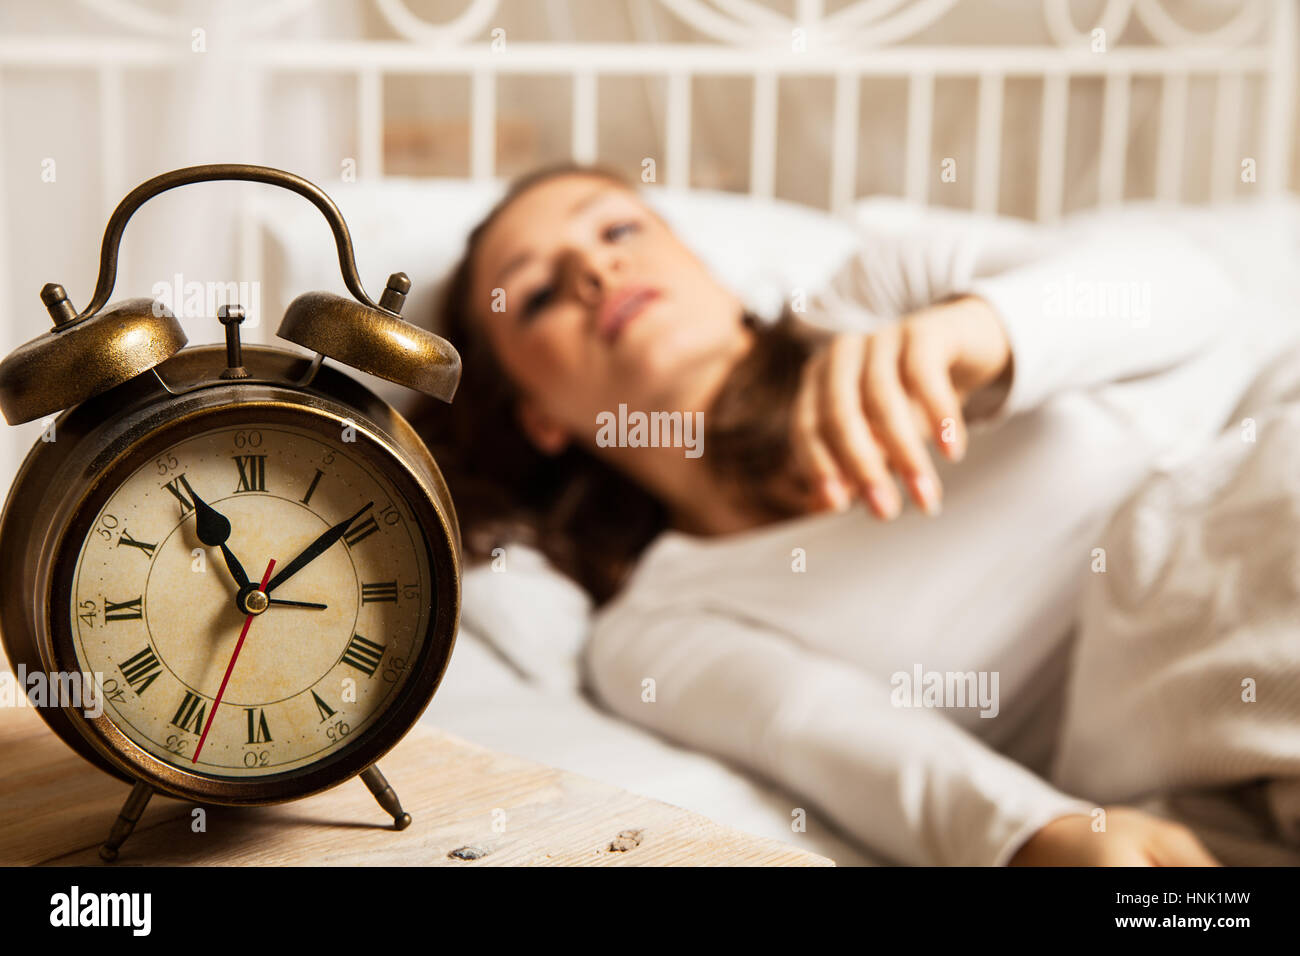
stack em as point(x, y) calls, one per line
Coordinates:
point(860, 578)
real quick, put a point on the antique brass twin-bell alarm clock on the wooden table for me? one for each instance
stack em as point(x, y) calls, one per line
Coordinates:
point(250, 557)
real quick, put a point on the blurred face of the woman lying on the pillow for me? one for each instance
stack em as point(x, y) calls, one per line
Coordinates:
point(590, 301)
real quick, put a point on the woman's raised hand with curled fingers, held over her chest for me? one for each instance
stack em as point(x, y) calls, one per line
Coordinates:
point(869, 403)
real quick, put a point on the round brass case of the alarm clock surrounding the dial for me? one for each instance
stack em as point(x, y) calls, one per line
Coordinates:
point(63, 485)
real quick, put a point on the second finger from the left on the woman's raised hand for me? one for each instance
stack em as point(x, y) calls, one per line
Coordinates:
point(847, 431)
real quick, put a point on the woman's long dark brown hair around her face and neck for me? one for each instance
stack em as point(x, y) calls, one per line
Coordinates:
point(590, 520)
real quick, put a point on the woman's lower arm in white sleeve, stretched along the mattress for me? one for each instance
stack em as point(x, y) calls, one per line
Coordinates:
point(907, 782)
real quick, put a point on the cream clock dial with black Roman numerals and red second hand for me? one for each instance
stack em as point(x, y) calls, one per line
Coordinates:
point(159, 608)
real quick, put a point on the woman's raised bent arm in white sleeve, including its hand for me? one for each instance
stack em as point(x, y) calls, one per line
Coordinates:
point(989, 328)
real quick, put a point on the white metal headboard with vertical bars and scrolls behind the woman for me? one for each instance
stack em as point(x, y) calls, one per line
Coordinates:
point(747, 38)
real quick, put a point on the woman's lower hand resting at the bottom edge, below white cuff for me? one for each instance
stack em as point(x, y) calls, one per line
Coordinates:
point(1132, 838)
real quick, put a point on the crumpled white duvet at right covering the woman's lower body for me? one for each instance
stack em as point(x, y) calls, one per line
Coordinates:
point(1186, 678)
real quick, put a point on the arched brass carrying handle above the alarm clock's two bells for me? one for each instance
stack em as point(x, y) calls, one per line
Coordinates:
point(216, 172)
